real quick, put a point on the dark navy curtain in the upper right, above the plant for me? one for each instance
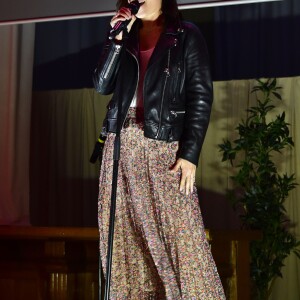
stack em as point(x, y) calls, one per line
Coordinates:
point(257, 40)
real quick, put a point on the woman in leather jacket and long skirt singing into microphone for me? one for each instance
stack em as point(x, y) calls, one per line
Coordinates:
point(159, 70)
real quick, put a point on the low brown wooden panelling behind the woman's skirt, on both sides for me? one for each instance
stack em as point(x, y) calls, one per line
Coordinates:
point(39, 263)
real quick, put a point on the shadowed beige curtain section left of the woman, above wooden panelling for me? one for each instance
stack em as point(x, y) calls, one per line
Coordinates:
point(63, 183)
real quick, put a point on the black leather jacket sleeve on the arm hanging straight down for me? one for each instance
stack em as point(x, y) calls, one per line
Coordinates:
point(199, 95)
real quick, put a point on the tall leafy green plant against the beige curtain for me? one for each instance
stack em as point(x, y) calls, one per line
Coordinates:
point(260, 189)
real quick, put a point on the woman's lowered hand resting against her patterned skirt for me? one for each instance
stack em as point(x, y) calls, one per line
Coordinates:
point(188, 172)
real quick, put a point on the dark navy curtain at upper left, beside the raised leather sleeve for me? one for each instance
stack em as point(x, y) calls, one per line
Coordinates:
point(66, 53)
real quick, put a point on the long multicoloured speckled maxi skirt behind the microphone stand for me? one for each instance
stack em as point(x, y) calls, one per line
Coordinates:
point(160, 249)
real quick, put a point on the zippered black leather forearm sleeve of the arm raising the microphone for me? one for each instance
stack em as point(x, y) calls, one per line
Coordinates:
point(105, 74)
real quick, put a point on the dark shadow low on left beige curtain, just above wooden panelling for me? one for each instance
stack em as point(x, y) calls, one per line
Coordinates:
point(72, 202)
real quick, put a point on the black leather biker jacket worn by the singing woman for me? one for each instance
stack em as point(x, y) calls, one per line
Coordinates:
point(177, 86)
